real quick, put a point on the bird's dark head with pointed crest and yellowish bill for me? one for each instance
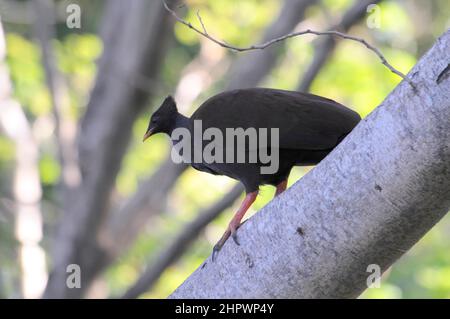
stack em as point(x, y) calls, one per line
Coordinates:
point(164, 118)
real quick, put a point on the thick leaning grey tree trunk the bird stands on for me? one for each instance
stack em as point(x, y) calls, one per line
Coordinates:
point(368, 202)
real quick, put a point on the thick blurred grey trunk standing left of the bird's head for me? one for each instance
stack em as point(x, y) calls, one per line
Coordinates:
point(114, 105)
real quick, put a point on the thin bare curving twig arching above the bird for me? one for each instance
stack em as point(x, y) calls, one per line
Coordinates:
point(287, 36)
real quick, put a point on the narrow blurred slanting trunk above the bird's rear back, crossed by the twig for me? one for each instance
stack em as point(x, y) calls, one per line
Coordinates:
point(325, 47)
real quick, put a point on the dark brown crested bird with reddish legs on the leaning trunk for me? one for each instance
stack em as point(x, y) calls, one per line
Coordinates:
point(309, 128)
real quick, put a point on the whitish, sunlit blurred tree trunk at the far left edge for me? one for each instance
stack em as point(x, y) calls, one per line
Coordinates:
point(27, 191)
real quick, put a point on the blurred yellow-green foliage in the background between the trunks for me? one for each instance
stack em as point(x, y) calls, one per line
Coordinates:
point(358, 80)
